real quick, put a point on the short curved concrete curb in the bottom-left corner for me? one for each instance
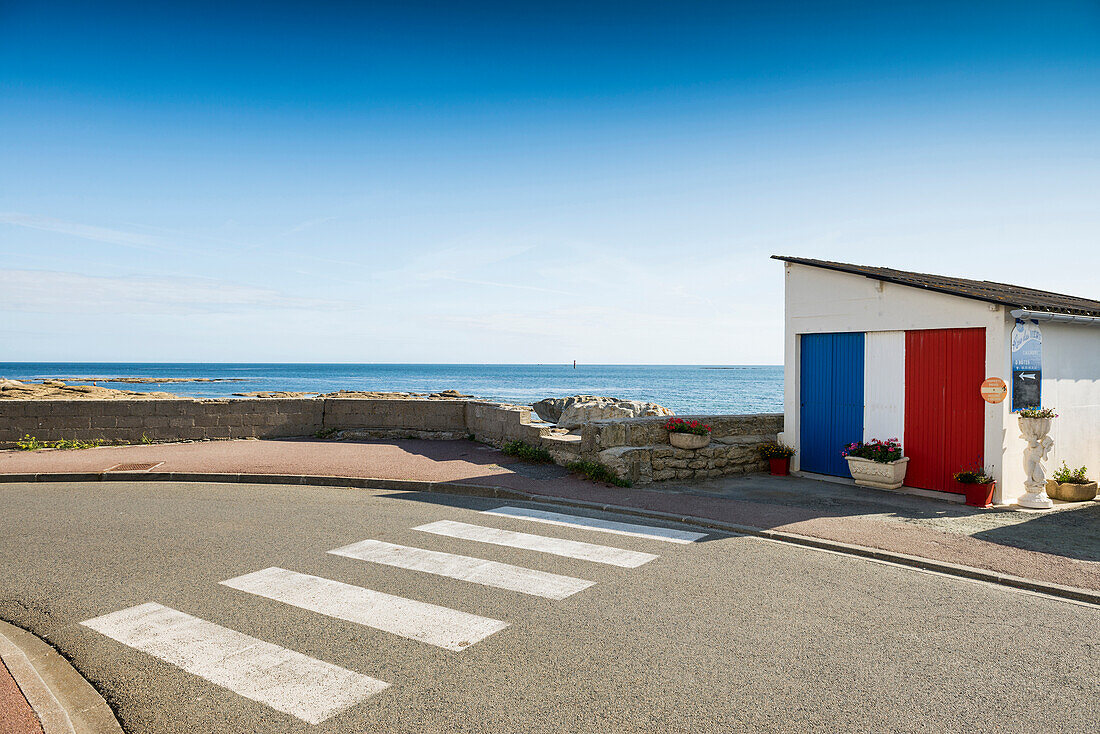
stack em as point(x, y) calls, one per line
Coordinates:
point(63, 700)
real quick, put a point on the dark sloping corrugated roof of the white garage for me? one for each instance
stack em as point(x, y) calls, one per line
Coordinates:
point(1013, 297)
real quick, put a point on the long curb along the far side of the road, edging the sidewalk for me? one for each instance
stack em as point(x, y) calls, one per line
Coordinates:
point(1072, 594)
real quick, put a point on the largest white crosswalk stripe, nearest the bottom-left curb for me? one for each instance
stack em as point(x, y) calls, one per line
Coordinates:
point(285, 681)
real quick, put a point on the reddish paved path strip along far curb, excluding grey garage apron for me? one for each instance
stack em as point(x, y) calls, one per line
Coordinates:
point(465, 462)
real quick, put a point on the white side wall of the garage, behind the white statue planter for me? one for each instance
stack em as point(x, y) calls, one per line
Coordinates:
point(1071, 387)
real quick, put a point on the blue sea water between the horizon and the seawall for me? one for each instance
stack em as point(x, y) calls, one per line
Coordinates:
point(685, 389)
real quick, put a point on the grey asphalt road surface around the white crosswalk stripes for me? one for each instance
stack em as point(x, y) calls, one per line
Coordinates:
point(725, 634)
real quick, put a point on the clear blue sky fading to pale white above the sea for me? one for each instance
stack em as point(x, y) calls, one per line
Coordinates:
point(502, 183)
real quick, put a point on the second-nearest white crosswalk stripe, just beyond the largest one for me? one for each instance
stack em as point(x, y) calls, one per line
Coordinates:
point(427, 623)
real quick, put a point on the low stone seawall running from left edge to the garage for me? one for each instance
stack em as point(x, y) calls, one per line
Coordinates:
point(637, 450)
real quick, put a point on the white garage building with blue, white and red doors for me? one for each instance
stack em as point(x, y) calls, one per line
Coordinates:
point(874, 353)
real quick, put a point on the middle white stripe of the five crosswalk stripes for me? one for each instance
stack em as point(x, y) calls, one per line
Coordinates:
point(465, 568)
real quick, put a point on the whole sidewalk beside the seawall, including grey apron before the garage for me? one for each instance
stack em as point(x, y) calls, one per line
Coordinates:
point(1058, 547)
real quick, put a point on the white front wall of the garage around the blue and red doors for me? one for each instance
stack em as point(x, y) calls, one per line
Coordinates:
point(820, 301)
